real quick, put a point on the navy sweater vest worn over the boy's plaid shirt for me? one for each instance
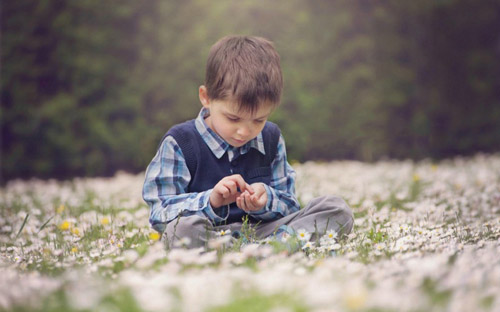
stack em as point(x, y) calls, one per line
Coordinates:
point(207, 170)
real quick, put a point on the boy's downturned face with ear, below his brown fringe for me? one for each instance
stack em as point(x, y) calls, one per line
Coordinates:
point(234, 126)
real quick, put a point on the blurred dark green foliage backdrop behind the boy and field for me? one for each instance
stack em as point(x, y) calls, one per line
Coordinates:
point(90, 87)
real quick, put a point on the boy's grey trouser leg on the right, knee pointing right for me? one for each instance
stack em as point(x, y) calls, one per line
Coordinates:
point(320, 214)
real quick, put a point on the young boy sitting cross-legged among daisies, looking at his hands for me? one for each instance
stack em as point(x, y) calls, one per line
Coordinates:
point(230, 162)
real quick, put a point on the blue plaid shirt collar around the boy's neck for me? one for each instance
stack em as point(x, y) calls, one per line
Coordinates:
point(217, 144)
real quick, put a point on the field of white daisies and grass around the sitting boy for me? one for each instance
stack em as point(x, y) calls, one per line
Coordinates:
point(426, 238)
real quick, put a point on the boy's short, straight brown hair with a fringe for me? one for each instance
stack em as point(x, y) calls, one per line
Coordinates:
point(244, 69)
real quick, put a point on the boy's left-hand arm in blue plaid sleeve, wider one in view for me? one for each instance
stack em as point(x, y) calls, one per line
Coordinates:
point(165, 188)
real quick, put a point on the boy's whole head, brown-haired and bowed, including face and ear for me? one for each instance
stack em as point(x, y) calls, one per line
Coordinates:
point(243, 85)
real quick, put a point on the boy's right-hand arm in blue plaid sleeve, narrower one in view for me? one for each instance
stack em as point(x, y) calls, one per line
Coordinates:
point(281, 199)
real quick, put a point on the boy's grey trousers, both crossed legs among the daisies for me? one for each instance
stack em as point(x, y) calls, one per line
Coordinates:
point(320, 215)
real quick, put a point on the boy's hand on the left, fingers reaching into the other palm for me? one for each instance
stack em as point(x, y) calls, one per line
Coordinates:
point(226, 191)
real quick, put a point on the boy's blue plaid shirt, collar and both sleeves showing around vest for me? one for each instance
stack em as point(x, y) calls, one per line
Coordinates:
point(167, 179)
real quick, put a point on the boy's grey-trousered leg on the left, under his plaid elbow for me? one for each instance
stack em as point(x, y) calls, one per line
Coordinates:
point(198, 229)
